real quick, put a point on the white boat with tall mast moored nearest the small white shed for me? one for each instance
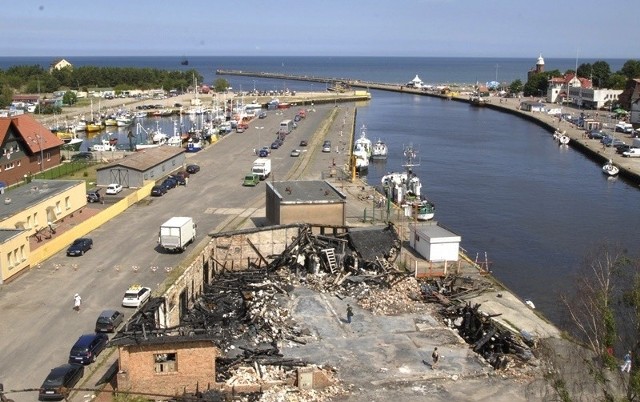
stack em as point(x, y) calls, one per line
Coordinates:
point(404, 189)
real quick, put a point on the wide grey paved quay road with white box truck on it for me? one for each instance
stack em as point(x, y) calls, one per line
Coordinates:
point(39, 325)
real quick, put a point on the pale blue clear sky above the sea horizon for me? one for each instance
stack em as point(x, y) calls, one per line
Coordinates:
point(419, 28)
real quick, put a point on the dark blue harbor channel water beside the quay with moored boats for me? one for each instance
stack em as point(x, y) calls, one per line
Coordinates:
point(533, 209)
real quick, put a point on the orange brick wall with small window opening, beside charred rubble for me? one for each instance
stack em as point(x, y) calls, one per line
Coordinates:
point(195, 368)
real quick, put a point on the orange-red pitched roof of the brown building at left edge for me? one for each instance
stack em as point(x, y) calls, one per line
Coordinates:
point(35, 135)
